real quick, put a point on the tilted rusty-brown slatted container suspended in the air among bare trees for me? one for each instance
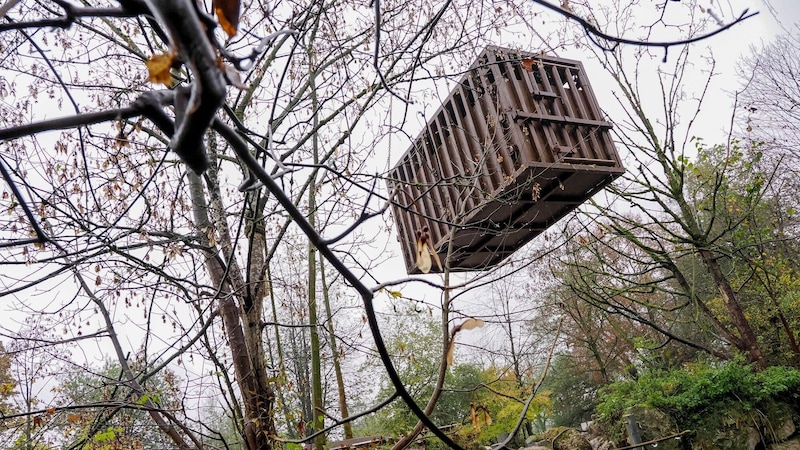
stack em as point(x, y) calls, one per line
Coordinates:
point(519, 143)
